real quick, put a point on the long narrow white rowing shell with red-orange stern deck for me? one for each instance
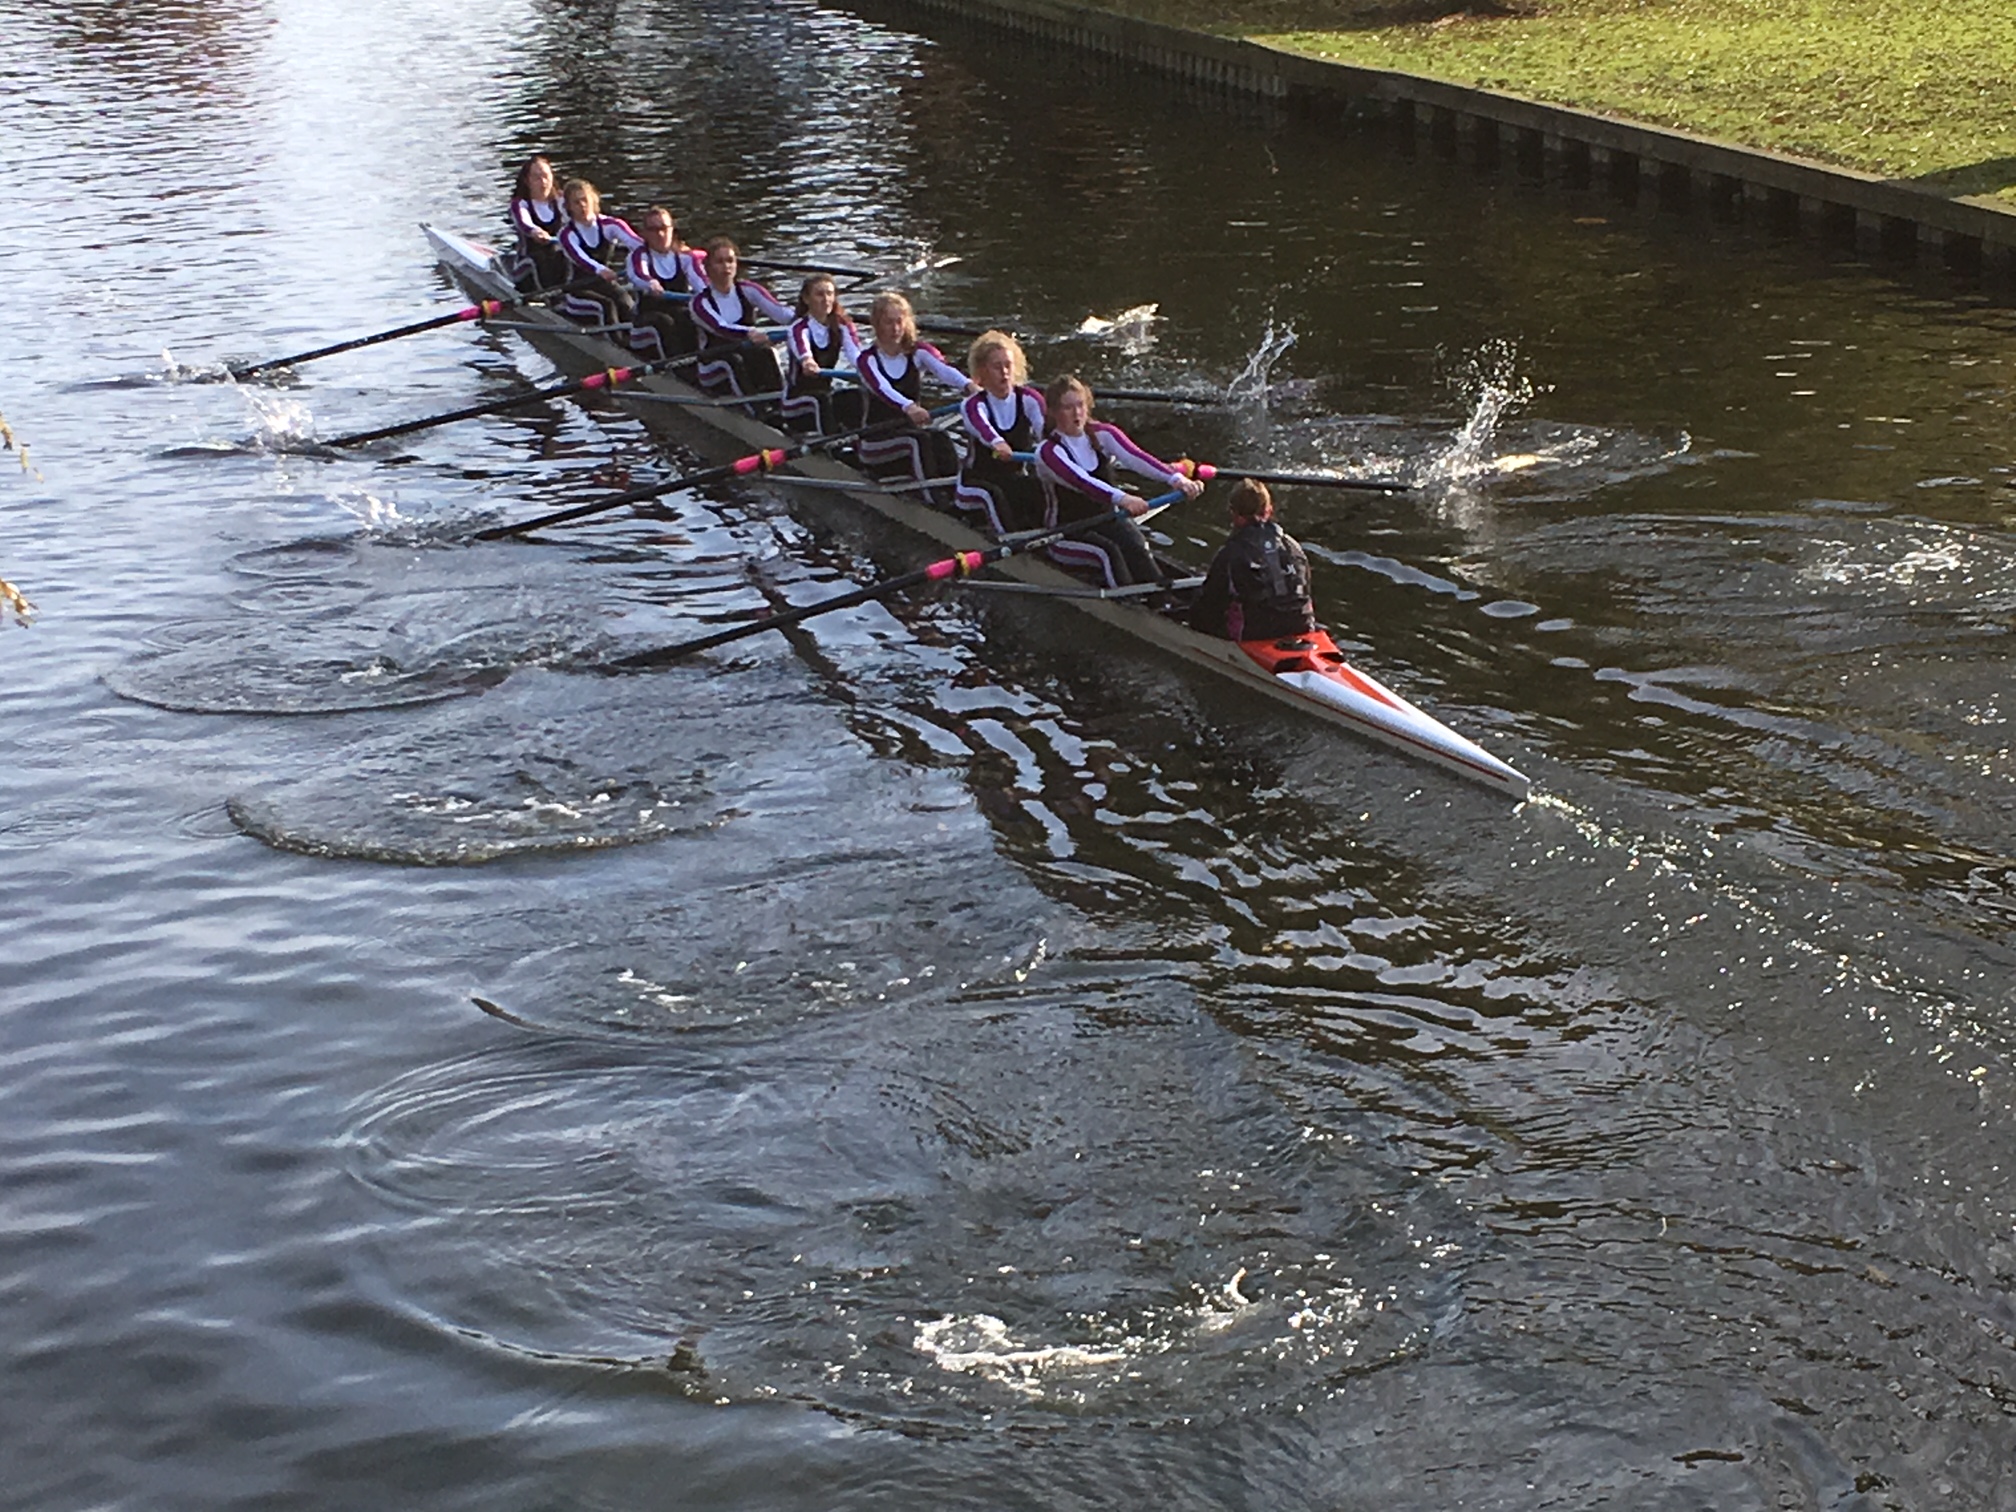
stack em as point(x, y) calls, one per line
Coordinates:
point(1307, 672)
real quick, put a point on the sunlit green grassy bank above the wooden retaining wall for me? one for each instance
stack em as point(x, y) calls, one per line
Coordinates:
point(1908, 90)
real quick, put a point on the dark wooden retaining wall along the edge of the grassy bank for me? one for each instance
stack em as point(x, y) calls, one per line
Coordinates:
point(1886, 219)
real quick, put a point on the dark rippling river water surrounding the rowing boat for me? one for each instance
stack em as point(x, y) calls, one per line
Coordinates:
point(932, 1061)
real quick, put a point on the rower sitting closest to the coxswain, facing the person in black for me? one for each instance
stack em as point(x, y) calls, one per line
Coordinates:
point(1076, 463)
